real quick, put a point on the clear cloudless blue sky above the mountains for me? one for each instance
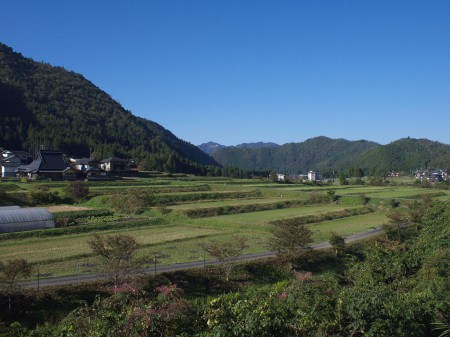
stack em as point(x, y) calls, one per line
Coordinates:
point(236, 71)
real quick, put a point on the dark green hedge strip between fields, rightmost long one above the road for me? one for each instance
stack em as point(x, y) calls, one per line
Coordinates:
point(307, 219)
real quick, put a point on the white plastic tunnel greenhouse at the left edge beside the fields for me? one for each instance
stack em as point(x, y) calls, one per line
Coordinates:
point(14, 219)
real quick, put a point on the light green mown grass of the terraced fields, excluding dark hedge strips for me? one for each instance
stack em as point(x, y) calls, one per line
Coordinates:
point(179, 238)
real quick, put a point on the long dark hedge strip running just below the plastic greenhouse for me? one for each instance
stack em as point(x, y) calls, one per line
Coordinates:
point(83, 229)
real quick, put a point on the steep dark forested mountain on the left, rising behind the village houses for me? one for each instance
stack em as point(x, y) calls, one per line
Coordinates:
point(63, 110)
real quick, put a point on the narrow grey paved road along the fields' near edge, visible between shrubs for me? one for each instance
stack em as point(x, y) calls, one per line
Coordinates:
point(82, 278)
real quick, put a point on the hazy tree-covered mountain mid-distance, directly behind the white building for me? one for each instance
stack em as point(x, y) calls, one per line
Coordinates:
point(320, 153)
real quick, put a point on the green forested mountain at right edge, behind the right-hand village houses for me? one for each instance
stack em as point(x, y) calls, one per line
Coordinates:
point(407, 154)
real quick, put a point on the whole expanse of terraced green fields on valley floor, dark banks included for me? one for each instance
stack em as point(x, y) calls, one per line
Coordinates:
point(188, 211)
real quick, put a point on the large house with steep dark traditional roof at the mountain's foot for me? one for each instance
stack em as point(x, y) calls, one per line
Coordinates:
point(49, 164)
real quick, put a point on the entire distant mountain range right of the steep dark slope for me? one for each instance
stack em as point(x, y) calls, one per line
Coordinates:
point(330, 156)
